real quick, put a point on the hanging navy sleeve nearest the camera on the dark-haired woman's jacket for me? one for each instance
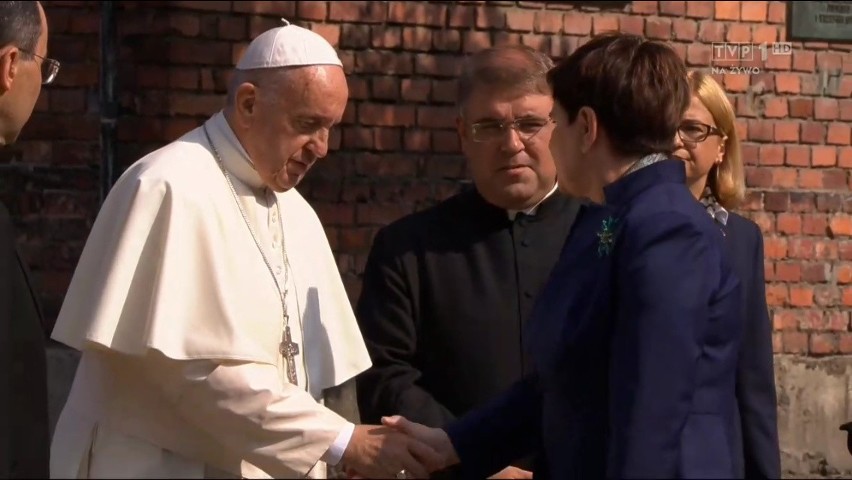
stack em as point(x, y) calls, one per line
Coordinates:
point(667, 272)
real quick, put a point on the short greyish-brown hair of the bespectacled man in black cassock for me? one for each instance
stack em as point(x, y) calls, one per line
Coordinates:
point(507, 67)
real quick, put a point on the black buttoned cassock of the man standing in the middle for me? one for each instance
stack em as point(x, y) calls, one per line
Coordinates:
point(446, 292)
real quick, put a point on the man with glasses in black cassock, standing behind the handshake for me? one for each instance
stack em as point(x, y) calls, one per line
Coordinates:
point(446, 291)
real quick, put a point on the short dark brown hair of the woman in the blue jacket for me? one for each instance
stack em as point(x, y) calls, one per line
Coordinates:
point(638, 89)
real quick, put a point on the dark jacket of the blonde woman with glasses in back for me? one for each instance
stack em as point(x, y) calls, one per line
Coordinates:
point(756, 396)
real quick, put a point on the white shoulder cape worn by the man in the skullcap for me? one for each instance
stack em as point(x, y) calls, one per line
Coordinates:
point(170, 265)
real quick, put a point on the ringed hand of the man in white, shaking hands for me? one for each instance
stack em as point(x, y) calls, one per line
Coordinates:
point(382, 452)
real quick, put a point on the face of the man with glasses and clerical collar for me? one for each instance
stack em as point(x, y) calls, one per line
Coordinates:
point(510, 163)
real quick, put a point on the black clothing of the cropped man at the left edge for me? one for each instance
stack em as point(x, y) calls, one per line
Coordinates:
point(24, 430)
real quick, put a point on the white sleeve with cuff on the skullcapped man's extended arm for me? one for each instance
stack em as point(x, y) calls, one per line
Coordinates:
point(273, 425)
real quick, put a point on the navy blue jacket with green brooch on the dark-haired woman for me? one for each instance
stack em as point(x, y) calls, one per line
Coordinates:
point(635, 342)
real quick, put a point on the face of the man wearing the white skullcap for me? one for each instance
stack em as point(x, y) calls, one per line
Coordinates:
point(289, 126)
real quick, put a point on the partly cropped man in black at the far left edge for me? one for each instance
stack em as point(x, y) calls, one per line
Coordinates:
point(24, 429)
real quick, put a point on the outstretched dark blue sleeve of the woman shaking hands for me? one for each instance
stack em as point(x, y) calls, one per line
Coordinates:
point(501, 432)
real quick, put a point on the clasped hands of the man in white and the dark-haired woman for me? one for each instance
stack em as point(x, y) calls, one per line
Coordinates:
point(403, 449)
